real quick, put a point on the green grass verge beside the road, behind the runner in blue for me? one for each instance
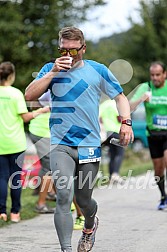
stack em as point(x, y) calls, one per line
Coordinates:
point(138, 163)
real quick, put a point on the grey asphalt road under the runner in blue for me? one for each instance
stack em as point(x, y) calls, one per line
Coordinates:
point(129, 222)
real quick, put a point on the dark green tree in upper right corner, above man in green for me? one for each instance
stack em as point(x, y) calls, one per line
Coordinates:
point(147, 41)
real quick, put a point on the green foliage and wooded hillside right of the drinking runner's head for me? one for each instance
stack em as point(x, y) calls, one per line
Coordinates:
point(140, 45)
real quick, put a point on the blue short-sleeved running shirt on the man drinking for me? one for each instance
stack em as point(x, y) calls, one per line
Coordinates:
point(75, 96)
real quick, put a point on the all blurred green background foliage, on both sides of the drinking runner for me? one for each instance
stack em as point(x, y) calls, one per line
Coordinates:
point(30, 36)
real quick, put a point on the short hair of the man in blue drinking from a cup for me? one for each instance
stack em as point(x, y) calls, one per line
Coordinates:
point(71, 33)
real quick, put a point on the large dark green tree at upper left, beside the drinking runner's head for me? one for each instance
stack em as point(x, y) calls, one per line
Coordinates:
point(30, 31)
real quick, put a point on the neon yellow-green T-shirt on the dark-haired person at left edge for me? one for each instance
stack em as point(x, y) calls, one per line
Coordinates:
point(12, 135)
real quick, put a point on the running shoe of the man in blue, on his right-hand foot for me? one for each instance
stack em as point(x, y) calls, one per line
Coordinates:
point(87, 241)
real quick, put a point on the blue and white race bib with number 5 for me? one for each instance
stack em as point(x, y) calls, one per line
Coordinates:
point(89, 154)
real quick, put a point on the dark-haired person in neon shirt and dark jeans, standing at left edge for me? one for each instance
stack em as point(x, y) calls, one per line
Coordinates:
point(12, 140)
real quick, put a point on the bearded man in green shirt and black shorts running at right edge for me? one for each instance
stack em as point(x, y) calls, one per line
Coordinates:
point(154, 95)
